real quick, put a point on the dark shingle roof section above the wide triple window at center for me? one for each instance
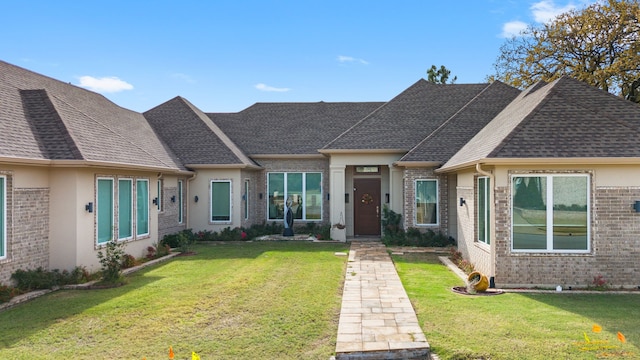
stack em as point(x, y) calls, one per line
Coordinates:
point(291, 128)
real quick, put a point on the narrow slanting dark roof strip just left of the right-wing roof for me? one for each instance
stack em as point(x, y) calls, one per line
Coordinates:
point(441, 144)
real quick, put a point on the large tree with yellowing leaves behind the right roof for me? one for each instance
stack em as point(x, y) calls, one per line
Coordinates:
point(599, 45)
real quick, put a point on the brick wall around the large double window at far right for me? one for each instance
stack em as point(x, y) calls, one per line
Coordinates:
point(615, 242)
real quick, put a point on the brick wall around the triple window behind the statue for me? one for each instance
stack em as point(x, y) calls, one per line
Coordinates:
point(292, 165)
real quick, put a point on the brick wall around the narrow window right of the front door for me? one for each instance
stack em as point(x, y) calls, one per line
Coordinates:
point(410, 176)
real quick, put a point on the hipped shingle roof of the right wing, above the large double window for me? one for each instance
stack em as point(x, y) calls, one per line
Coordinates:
point(563, 119)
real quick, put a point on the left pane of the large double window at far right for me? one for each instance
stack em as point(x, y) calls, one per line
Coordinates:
point(529, 213)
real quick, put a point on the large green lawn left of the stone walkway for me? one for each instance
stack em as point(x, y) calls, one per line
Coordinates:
point(264, 300)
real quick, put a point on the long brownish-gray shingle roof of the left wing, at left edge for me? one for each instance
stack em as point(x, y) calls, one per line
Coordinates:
point(46, 119)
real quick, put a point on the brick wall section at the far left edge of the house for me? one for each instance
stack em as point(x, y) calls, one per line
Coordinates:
point(27, 230)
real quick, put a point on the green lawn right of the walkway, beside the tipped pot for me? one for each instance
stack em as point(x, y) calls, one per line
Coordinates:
point(517, 326)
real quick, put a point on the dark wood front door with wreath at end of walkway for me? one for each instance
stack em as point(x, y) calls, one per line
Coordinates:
point(366, 206)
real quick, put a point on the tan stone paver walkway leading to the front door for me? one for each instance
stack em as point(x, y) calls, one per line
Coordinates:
point(377, 320)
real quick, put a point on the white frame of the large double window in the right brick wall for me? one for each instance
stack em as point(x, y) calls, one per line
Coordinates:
point(549, 213)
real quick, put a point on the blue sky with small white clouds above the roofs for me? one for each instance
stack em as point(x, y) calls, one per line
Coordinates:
point(223, 56)
